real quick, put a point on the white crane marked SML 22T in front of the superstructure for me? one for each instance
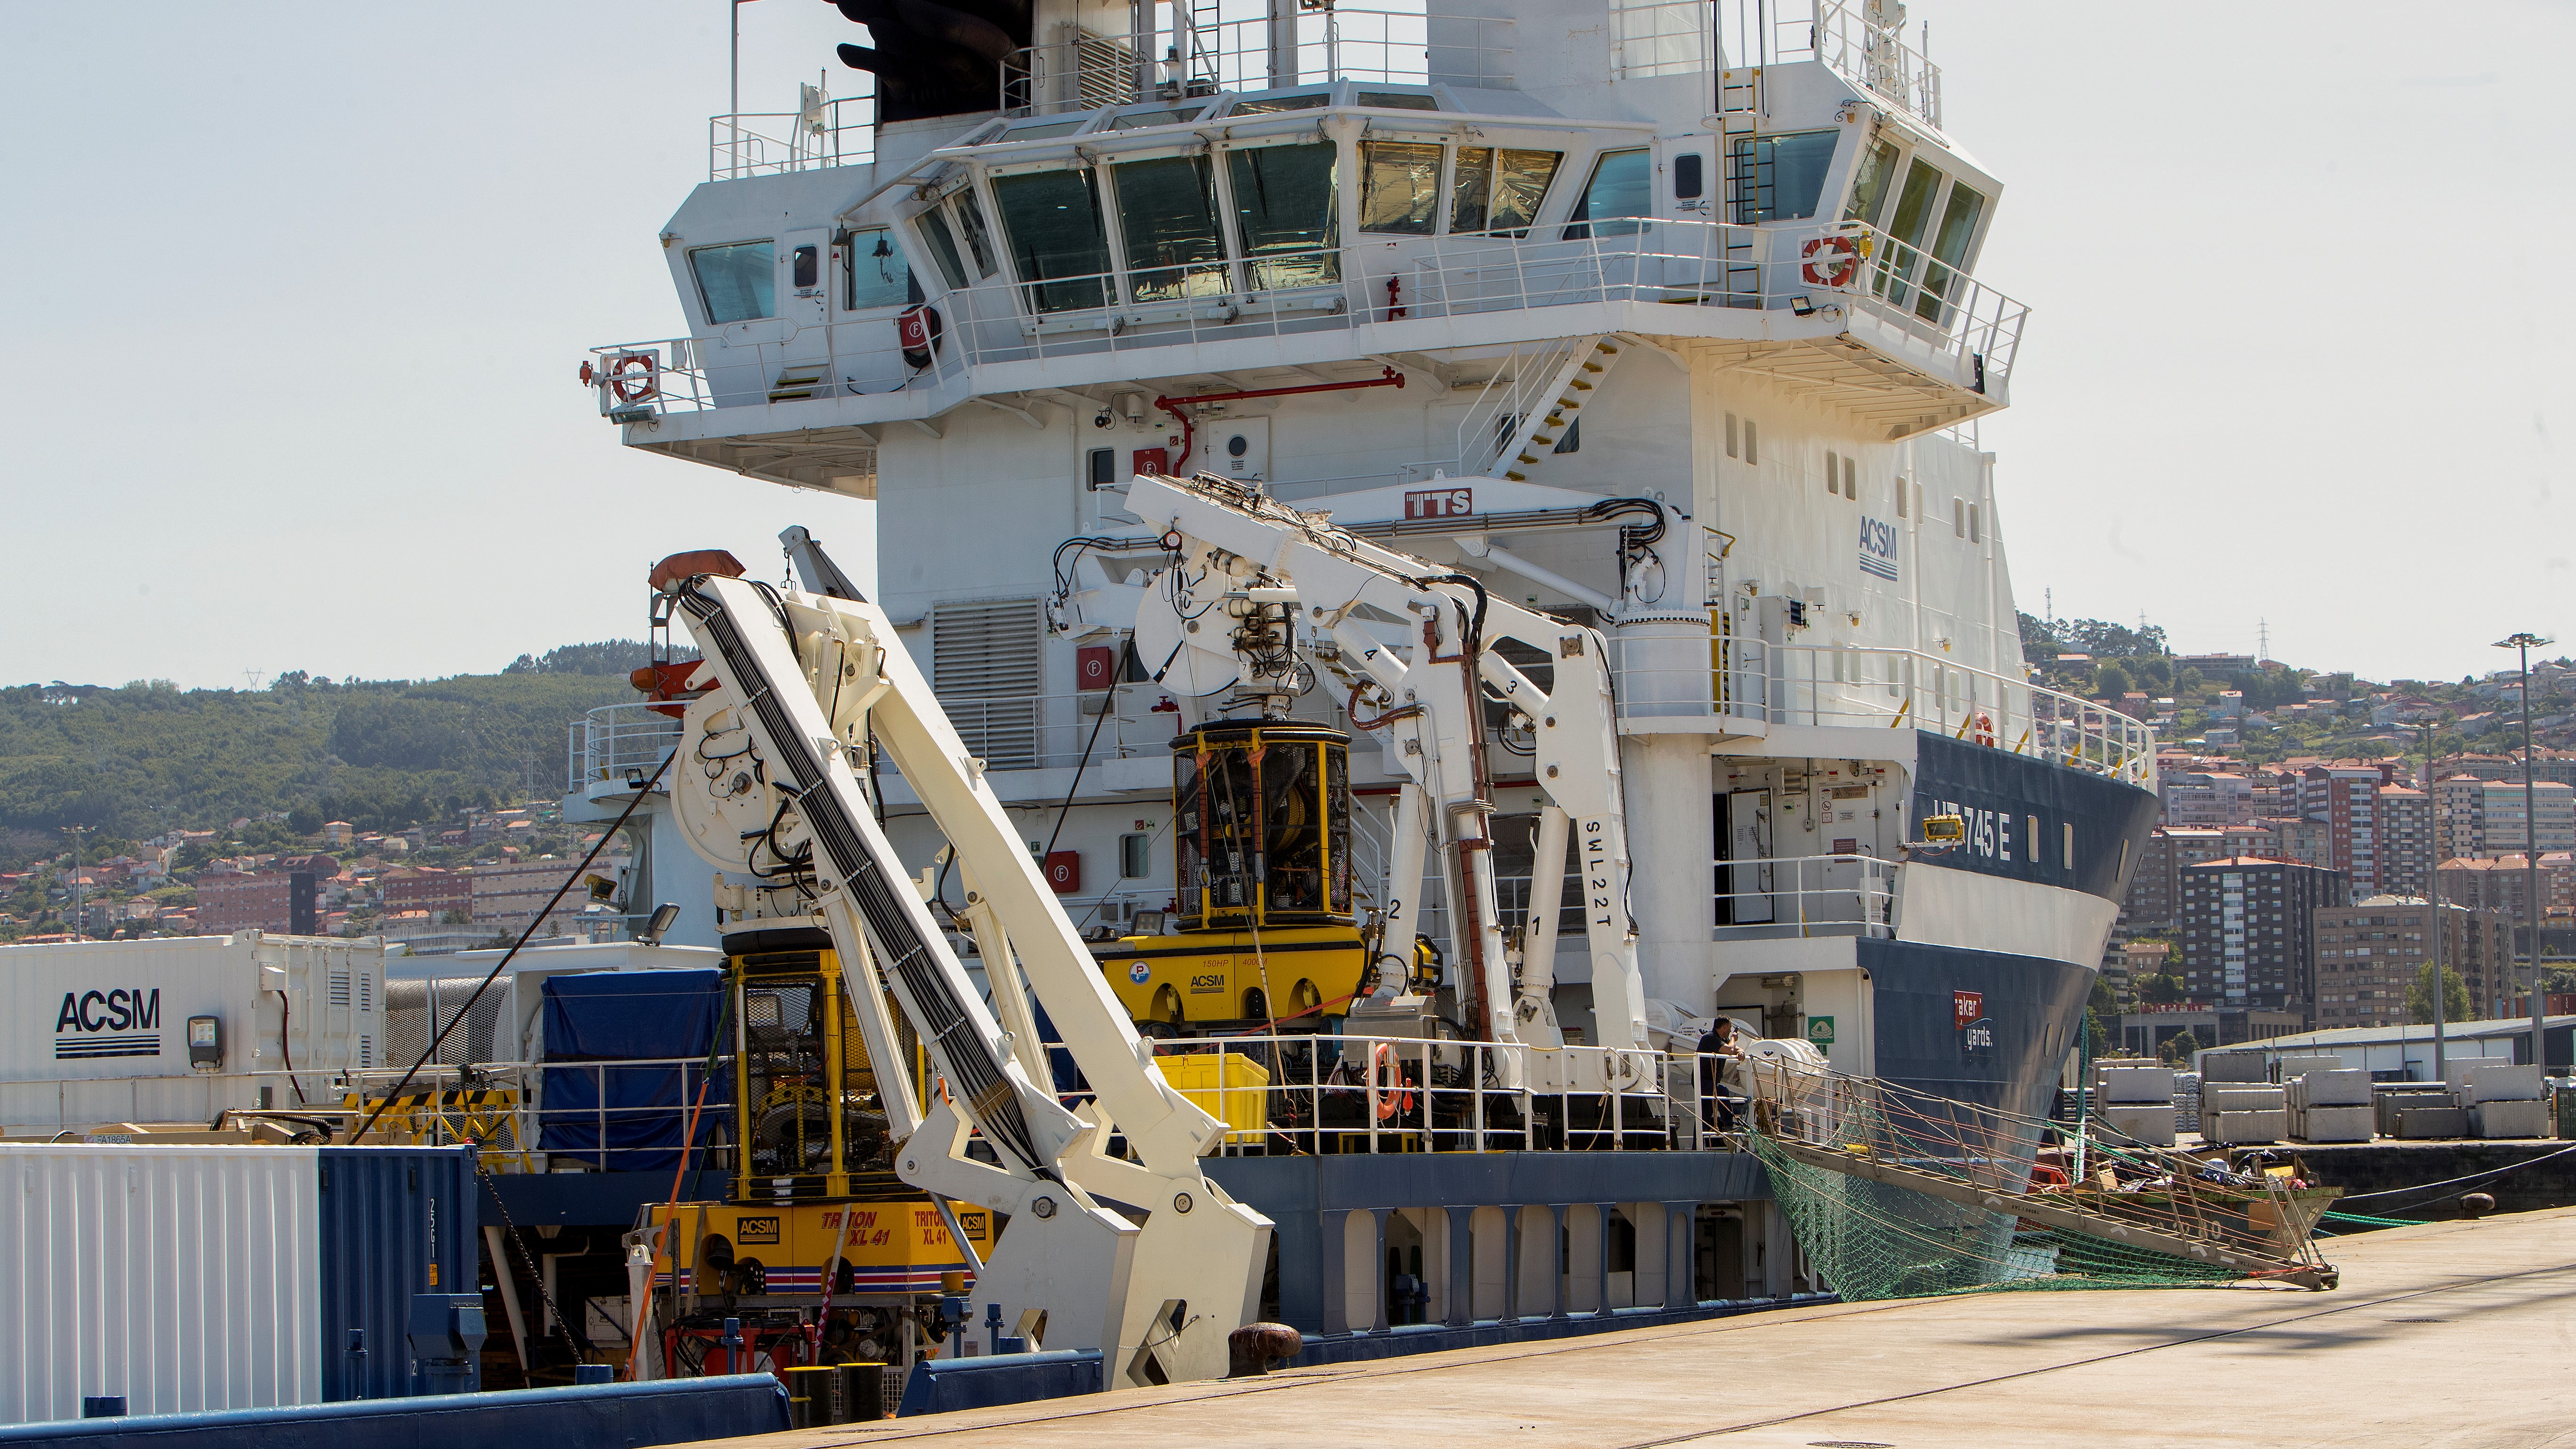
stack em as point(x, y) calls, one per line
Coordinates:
point(1256, 589)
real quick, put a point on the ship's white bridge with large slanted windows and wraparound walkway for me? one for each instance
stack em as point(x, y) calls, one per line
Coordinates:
point(1279, 215)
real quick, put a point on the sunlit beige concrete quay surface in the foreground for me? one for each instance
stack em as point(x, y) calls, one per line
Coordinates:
point(2456, 1334)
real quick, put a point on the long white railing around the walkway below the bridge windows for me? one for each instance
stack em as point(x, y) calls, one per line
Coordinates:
point(1910, 300)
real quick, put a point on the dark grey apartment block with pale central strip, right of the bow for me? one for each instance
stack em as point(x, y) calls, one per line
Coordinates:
point(2248, 929)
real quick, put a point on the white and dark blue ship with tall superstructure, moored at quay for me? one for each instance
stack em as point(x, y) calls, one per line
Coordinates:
point(1655, 318)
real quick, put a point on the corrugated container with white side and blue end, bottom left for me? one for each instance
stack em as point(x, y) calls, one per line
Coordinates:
point(223, 1278)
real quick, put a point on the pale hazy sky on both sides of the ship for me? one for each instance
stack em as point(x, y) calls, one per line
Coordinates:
point(295, 300)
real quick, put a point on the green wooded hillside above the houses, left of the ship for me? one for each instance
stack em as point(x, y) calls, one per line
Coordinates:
point(151, 757)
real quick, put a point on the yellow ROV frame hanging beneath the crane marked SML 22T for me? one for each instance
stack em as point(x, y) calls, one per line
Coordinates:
point(1269, 929)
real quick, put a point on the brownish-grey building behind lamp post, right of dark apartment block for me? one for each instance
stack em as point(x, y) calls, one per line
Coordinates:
point(2374, 950)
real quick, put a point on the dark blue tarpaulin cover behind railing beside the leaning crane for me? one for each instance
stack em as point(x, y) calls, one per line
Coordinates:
point(622, 1118)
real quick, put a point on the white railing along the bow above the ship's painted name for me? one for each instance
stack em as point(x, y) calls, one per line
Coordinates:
point(1830, 685)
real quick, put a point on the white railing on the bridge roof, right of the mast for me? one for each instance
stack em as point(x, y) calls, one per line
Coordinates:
point(1694, 37)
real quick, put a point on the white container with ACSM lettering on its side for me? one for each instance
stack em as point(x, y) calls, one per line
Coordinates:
point(184, 1027)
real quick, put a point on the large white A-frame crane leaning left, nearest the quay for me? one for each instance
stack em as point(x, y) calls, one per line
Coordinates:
point(1140, 1257)
